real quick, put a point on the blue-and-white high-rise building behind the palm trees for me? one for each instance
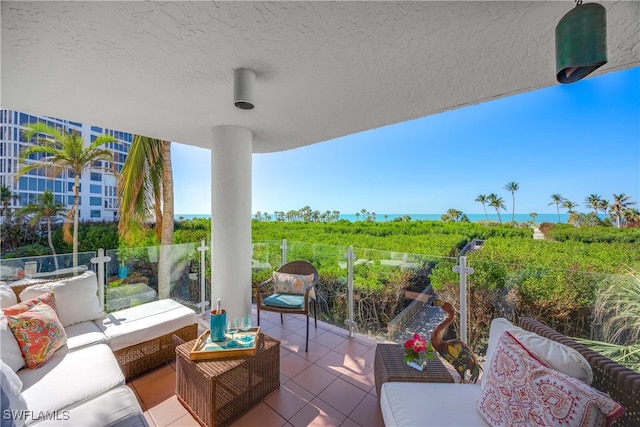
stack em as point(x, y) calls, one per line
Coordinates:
point(97, 185)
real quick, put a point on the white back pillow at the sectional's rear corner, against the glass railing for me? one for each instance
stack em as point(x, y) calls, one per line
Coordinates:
point(76, 298)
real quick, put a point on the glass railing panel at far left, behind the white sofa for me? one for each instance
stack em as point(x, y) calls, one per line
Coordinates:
point(46, 267)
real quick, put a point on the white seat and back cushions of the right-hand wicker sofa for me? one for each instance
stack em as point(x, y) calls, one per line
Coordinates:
point(435, 404)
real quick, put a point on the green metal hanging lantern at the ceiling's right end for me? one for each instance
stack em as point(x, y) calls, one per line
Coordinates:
point(581, 42)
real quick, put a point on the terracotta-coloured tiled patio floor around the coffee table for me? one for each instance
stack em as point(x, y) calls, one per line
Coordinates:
point(331, 385)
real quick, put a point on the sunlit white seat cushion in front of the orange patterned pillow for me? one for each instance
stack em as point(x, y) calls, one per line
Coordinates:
point(70, 377)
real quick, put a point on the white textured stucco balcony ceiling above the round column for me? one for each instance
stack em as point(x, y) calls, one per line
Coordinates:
point(324, 69)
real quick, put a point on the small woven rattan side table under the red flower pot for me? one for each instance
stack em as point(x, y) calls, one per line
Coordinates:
point(390, 367)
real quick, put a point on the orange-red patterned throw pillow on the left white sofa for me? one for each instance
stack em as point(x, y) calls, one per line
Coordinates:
point(39, 333)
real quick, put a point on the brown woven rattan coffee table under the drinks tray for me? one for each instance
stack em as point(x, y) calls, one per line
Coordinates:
point(218, 391)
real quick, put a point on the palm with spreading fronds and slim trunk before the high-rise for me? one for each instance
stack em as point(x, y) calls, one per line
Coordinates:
point(63, 151)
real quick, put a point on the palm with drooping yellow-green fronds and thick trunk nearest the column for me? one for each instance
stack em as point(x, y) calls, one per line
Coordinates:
point(146, 193)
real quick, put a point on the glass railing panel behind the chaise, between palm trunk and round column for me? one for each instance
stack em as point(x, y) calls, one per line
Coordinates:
point(139, 275)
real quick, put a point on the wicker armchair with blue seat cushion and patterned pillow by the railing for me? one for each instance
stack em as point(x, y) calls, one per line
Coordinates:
point(290, 291)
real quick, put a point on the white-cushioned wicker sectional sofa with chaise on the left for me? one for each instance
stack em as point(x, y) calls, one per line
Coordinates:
point(82, 383)
